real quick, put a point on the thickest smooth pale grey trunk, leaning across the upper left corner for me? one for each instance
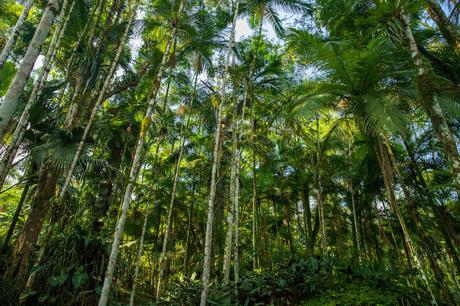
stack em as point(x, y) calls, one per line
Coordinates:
point(9, 104)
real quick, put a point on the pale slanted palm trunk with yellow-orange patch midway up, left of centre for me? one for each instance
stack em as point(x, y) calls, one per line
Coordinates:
point(133, 175)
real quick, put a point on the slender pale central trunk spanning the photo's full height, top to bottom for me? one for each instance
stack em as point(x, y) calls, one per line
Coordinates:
point(215, 165)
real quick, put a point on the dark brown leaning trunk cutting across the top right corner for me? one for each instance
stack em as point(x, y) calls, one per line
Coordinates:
point(445, 26)
